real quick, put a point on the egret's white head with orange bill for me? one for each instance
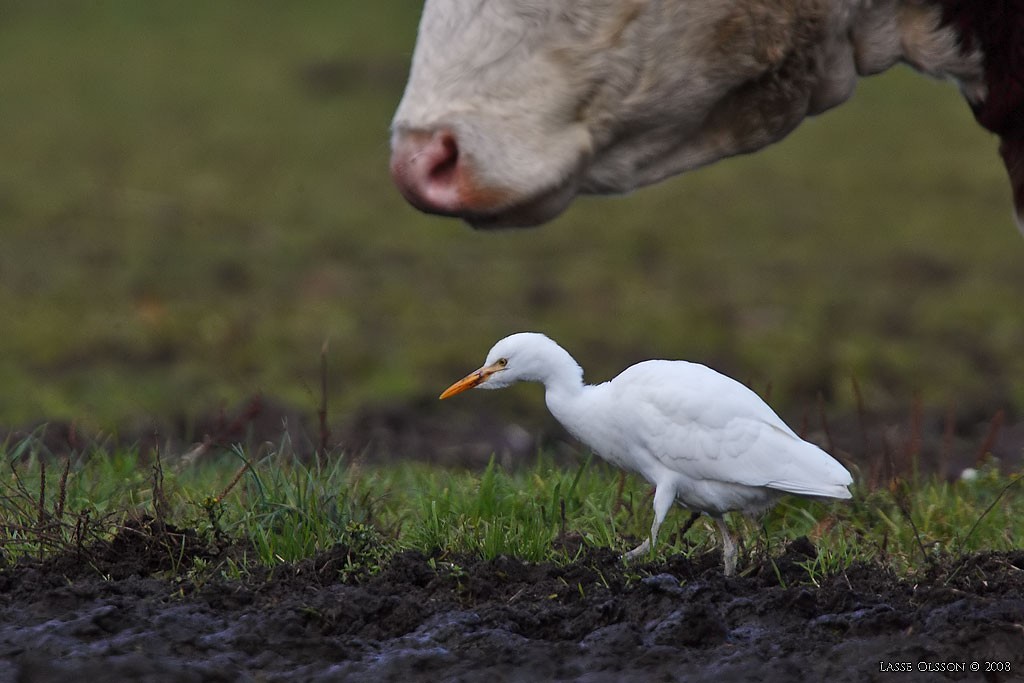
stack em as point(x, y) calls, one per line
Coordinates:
point(526, 357)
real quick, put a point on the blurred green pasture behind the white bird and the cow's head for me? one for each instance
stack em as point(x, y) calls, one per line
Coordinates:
point(195, 197)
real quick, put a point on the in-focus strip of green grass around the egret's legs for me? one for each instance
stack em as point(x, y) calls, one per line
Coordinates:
point(281, 511)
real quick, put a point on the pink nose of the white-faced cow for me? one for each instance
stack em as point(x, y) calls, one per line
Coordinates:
point(425, 167)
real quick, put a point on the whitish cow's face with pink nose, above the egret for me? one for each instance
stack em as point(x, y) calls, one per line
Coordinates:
point(516, 107)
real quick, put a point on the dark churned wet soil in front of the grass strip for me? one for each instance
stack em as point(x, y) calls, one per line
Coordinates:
point(103, 614)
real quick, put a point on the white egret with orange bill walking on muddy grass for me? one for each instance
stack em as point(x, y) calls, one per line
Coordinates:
point(696, 435)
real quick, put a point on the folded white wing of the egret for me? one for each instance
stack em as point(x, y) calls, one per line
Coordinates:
point(709, 428)
